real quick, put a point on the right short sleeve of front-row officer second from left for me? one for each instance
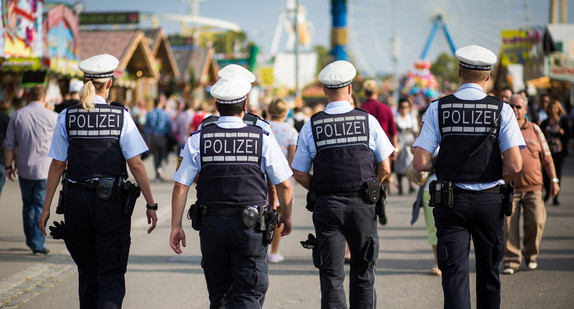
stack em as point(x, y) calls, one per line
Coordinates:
point(273, 162)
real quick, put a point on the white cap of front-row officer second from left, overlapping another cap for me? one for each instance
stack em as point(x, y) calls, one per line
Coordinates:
point(230, 90)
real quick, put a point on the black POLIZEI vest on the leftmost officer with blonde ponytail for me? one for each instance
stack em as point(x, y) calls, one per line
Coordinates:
point(94, 141)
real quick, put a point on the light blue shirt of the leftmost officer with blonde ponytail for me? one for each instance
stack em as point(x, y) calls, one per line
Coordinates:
point(131, 141)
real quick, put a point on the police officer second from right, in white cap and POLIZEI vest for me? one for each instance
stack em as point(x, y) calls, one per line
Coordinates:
point(347, 148)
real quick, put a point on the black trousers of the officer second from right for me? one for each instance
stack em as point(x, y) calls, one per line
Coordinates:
point(339, 220)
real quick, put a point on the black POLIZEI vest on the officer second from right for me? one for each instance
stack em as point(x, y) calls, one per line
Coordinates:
point(344, 160)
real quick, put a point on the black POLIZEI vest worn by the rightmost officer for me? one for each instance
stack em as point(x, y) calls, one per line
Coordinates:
point(469, 151)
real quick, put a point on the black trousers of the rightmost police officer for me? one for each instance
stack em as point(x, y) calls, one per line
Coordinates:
point(478, 216)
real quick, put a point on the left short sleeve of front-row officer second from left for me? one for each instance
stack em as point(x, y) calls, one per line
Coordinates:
point(190, 164)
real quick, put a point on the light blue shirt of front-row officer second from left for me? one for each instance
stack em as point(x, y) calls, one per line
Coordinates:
point(273, 162)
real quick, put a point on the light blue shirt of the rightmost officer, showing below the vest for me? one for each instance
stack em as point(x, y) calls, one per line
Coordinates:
point(509, 135)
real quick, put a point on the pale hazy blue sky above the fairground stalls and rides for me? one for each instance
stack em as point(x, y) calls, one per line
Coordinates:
point(372, 23)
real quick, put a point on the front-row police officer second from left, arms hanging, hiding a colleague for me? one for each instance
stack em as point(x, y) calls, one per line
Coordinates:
point(231, 161)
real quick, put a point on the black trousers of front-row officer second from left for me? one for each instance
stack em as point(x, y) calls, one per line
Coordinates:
point(234, 263)
